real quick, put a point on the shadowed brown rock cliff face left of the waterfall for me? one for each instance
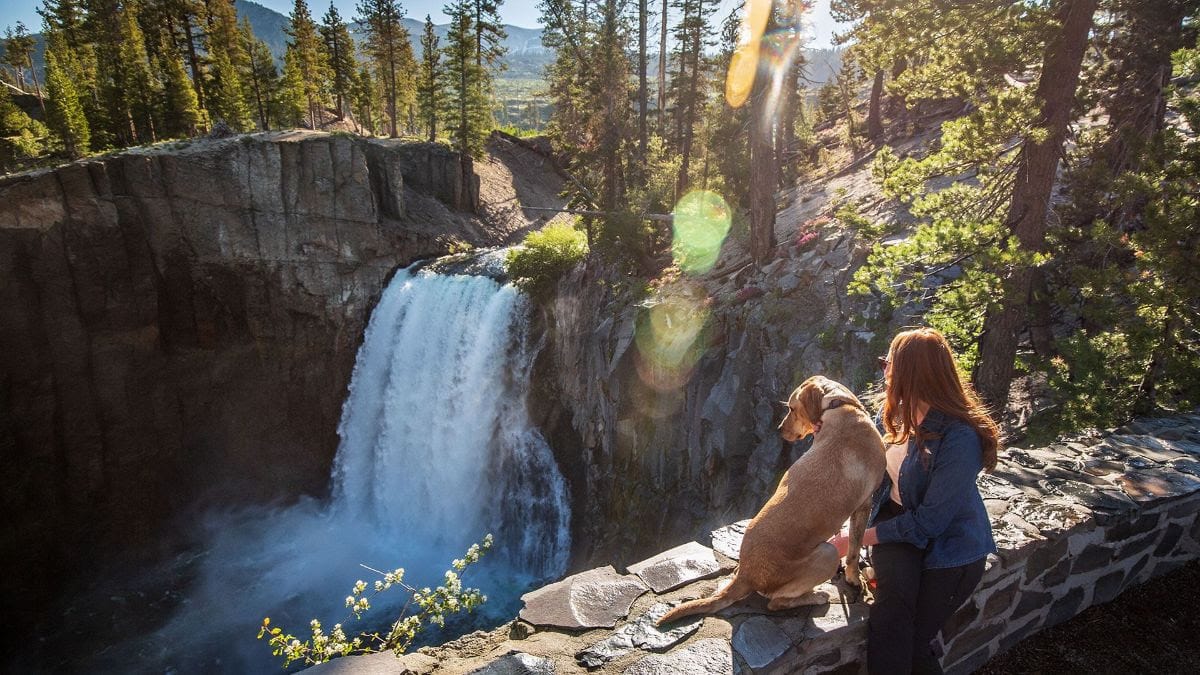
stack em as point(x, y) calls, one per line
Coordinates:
point(181, 325)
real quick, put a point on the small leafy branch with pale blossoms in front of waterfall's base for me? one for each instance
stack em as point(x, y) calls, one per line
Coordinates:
point(431, 605)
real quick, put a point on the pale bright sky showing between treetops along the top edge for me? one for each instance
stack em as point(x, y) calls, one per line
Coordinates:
point(517, 13)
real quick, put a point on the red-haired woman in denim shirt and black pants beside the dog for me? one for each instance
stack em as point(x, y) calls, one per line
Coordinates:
point(929, 529)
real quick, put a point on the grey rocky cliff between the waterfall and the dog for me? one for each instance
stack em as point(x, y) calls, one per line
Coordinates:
point(663, 404)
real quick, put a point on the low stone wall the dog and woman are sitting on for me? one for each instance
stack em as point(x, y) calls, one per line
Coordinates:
point(1077, 523)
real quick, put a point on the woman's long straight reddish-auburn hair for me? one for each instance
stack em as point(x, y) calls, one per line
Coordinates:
point(923, 372)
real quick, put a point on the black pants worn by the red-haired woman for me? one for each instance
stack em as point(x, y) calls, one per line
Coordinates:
point(911, 606)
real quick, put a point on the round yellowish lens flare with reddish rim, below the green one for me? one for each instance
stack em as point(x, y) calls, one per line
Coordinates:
point(671, 338)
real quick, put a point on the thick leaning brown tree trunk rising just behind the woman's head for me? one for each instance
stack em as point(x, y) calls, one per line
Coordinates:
point(1036, 174)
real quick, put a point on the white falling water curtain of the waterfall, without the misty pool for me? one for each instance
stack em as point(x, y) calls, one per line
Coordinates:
point(436, 439)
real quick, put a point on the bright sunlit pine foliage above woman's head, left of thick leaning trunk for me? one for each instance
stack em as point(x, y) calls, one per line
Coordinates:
point(953, 261)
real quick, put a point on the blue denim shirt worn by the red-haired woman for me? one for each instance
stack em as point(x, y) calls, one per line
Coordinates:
point(944, 510)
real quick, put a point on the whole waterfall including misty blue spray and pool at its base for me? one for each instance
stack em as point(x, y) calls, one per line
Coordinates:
point(436, 452)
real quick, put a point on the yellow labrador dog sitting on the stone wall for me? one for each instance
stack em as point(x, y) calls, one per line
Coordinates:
point(785, 553)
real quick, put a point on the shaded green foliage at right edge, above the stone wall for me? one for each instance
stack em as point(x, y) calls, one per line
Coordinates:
point(1137, 348)
